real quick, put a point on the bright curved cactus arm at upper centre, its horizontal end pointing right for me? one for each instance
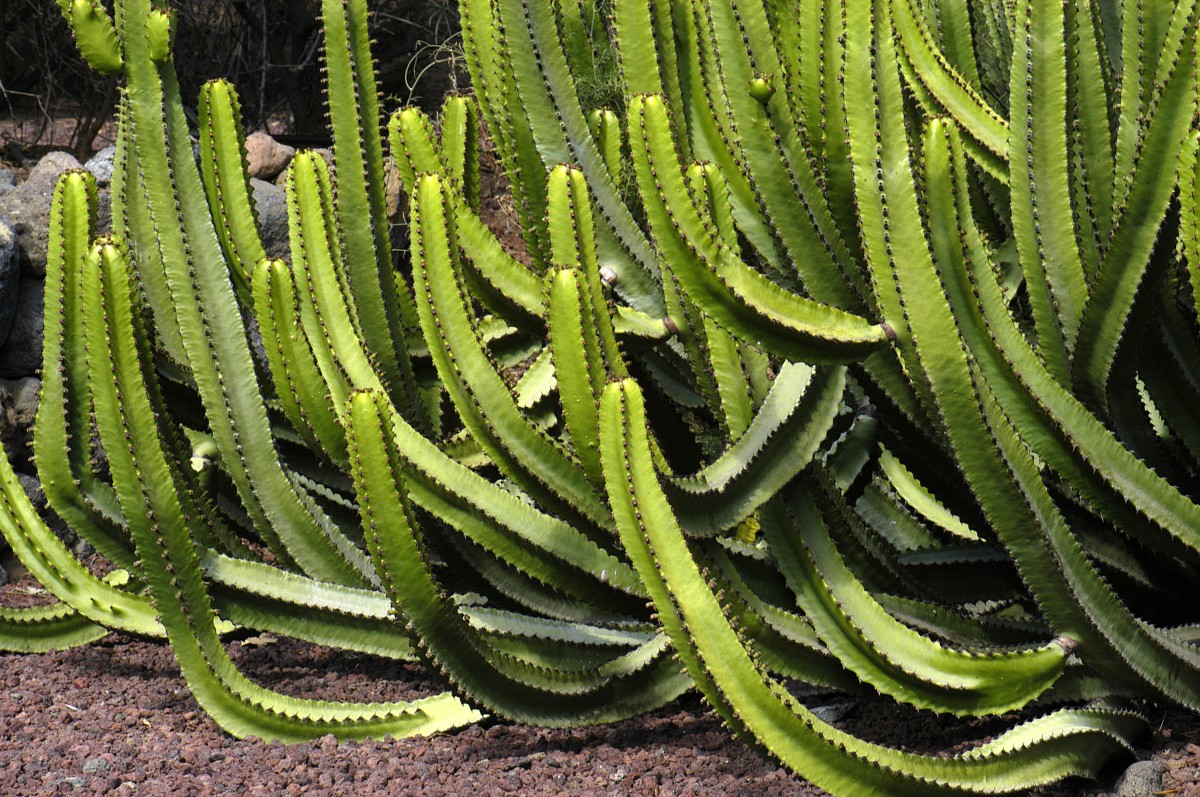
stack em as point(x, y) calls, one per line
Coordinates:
point(740, 299)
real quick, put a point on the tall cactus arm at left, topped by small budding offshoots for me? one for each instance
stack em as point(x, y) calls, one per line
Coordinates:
point(212, 328)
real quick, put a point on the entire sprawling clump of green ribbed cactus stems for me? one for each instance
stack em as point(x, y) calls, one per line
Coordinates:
point(856, 346)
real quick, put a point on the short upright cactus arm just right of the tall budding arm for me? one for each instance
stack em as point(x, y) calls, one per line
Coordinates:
point(226, 177)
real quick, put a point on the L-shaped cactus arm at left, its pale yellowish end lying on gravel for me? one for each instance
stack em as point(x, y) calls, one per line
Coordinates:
point(145, 478)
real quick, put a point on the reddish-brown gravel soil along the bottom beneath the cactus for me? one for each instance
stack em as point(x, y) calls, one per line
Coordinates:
point(117, 718)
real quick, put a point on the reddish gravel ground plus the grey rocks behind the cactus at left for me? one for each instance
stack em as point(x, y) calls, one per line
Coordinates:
point(116, 717)
